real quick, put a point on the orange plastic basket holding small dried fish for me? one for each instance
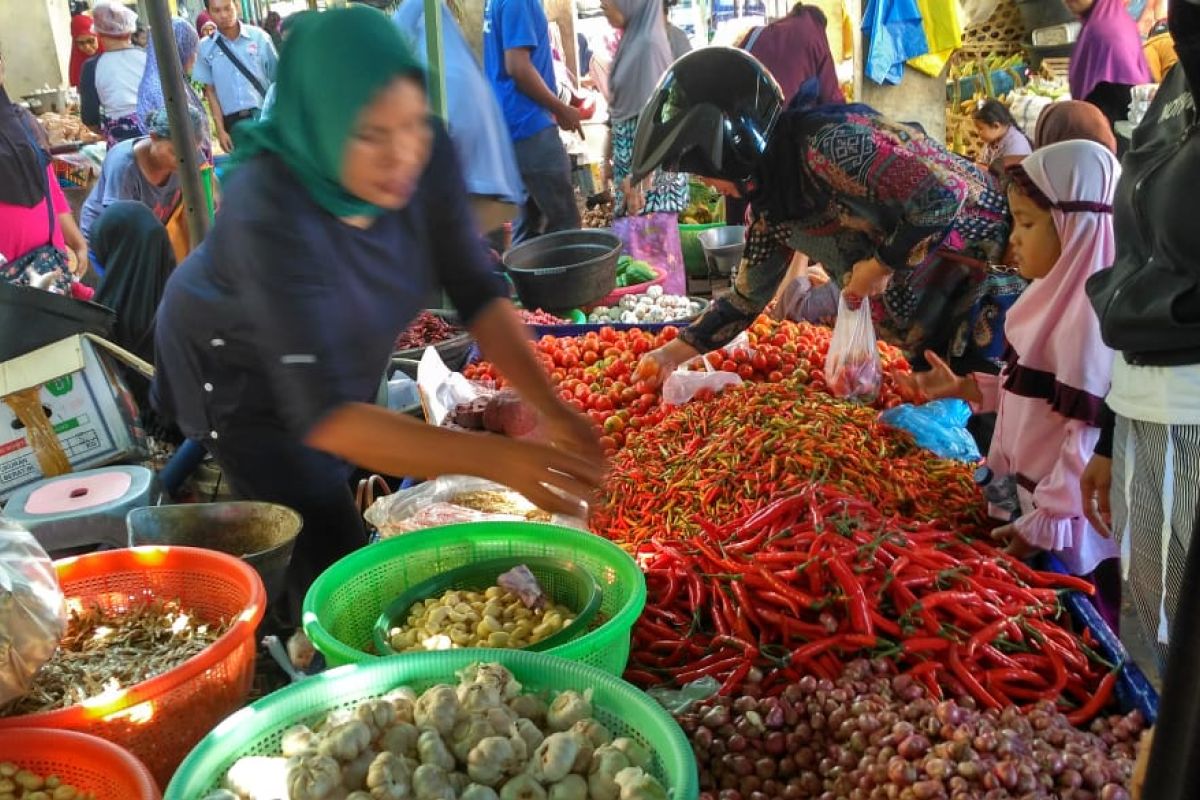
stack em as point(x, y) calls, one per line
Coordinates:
point(160, 720)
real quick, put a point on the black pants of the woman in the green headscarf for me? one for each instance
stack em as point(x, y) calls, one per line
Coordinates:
point(272, 466)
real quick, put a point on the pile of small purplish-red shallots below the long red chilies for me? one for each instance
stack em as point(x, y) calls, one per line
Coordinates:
point(875, 736)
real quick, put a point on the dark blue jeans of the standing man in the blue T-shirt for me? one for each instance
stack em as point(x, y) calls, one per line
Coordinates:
point(547, 172)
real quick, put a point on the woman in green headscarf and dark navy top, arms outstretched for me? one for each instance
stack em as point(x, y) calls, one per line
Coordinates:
point(346, 213)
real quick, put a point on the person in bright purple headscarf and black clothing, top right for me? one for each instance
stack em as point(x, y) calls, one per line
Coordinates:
point(1108, 61)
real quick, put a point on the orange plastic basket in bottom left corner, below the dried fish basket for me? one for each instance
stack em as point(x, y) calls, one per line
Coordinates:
point(85, 762)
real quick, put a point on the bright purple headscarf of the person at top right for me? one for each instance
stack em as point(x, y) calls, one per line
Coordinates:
point(1109, 50)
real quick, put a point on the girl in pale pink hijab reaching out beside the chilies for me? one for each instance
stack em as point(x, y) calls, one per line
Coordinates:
point(1048, 398)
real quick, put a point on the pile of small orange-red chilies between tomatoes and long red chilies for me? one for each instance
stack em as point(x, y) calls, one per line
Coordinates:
point(728, 456)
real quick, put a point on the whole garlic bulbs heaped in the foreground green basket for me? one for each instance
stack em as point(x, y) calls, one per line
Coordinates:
point(481, 741)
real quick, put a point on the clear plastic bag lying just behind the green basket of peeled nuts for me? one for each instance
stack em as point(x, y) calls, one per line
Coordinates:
point(433, 504)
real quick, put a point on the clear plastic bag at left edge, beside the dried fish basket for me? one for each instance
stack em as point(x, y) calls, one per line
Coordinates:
point(33, 618)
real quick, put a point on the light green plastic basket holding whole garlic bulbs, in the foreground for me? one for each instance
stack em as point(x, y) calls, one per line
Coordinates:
point(259, 729)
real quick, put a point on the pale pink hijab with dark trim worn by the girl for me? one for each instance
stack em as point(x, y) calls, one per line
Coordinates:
point(1054, 336)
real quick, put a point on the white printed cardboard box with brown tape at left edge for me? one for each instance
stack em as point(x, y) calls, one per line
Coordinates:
point(64, 407)
